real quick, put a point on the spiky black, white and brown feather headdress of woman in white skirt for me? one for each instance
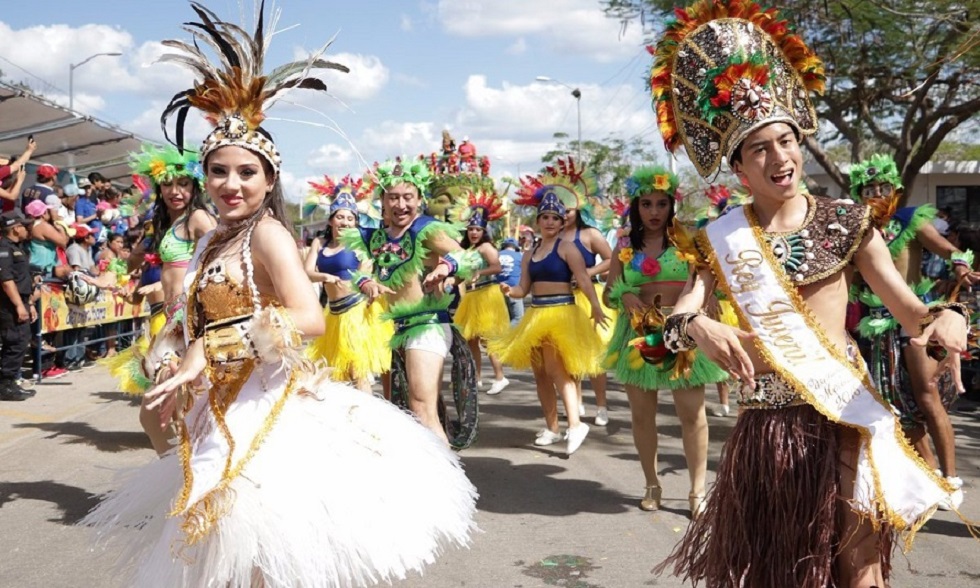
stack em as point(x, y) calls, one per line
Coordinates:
point(234, 91)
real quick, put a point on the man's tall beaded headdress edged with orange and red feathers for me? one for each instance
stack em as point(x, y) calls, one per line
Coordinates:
point(725, 68)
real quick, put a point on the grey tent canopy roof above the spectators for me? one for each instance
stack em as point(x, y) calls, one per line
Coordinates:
point(68, 140)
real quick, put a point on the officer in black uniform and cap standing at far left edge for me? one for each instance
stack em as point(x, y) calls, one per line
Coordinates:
point(16, 311)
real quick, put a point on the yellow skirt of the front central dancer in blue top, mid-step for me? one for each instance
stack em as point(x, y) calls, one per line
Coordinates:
point(565, 327)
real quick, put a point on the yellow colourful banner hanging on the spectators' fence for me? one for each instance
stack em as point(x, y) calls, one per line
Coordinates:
point(109, 307)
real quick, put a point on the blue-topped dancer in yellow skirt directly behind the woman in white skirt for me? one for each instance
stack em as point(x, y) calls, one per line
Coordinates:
point(356, 340)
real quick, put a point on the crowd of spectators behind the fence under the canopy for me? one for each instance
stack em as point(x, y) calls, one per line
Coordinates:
point(76, 227)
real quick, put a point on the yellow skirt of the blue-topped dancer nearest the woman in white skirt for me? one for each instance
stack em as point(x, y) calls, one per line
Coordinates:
point(355, 342)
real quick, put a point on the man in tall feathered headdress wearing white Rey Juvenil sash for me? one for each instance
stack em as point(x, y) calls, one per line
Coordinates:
point(817, 477)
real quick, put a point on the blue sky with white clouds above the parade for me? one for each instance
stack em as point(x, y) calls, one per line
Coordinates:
point(417, 68)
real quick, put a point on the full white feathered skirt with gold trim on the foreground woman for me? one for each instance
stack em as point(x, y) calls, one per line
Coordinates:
point(337, 489)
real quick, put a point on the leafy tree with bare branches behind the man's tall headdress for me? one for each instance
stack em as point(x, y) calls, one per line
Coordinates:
point(901, 74)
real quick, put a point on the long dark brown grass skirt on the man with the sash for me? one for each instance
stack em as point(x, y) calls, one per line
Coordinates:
point(774, 514)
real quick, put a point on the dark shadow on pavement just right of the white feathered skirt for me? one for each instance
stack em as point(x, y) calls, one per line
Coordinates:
point(533, 489)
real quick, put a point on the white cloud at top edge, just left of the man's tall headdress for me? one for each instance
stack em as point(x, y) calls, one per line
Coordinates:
point(577, 27)
